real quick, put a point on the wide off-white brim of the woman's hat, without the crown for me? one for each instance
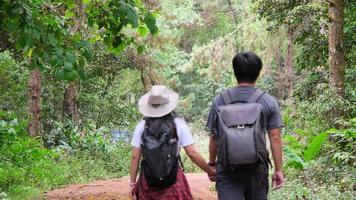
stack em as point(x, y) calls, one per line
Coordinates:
point(147, 110)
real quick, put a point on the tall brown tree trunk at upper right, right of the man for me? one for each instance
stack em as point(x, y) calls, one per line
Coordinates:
point(336, 52)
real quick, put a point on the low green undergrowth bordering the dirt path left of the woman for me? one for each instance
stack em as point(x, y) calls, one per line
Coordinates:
point(27, 169)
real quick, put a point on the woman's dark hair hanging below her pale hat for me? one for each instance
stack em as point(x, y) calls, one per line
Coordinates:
point(159, 125)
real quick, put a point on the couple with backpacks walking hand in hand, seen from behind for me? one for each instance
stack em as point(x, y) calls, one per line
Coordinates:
point(238, 159)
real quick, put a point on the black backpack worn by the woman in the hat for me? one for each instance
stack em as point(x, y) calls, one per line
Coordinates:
point(160, 154)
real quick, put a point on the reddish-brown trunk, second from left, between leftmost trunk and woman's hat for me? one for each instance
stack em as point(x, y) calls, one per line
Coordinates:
point(71, 103)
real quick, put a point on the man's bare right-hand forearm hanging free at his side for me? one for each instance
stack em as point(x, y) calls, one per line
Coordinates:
point(277, 154)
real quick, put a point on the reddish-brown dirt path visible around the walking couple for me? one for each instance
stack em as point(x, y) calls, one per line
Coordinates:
point(117, 189)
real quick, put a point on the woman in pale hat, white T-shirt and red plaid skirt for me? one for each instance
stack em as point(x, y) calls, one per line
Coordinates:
point(157, 139)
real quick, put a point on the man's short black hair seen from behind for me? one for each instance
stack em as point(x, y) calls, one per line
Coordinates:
point(247, 67)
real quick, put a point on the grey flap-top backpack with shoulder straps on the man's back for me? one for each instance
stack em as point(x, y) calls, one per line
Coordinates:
point(241, 131)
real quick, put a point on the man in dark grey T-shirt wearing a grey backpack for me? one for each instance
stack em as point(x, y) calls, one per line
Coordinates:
point(238, 121)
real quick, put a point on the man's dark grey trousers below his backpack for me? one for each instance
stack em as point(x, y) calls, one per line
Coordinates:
point(250, 184)
